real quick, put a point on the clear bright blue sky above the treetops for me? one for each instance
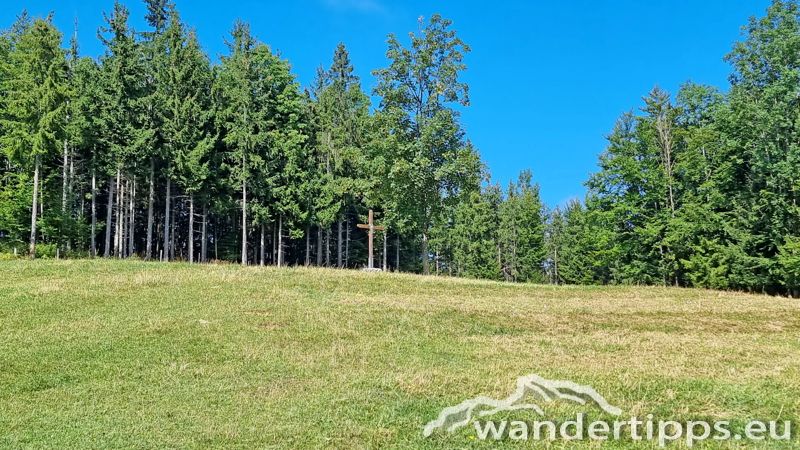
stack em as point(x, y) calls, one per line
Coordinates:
point(547, 78)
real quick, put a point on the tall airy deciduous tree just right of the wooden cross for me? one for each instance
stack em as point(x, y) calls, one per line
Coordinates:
point(431, 163)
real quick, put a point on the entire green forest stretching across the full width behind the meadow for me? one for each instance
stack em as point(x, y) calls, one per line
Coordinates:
point(155, 151)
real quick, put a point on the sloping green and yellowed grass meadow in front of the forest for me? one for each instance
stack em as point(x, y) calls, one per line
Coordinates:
point(106, 354)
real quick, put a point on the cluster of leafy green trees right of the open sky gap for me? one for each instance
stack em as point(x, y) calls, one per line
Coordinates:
point(700, 189)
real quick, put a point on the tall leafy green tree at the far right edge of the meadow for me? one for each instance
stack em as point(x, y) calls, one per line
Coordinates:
point(760, 156)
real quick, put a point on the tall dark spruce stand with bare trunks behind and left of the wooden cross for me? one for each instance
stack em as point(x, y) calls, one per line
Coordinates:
point(154, 151)
